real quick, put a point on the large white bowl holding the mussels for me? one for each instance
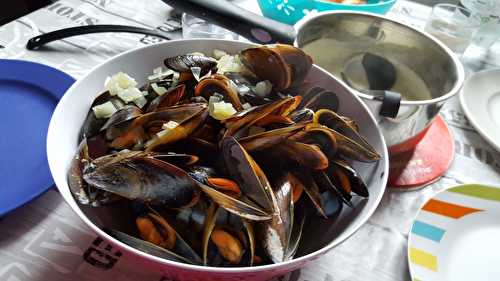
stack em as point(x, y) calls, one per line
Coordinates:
point(71, 112)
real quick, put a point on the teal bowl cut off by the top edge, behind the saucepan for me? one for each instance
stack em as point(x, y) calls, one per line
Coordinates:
point(291, 11)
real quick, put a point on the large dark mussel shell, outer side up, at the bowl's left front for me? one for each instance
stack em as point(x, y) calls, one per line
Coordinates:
point(144, 179)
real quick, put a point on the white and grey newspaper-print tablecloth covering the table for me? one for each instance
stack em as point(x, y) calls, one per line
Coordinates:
point(45, 240)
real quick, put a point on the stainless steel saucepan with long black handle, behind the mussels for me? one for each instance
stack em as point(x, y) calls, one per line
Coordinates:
point(427, 72)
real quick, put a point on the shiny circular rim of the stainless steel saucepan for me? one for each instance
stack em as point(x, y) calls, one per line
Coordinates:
point(453, 57)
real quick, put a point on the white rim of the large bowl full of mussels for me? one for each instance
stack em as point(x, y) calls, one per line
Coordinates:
point(296, 262)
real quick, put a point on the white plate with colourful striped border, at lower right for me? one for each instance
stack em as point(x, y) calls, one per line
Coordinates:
point(456, 236)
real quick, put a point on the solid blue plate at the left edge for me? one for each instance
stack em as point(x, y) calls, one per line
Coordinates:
point(29, 92)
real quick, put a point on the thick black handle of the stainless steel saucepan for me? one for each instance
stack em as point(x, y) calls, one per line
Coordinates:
point(249, 25)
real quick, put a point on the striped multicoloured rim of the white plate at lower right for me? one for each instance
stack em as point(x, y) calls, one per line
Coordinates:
point(438, 214)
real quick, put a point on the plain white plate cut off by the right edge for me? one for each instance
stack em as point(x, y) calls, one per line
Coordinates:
point(480, 99)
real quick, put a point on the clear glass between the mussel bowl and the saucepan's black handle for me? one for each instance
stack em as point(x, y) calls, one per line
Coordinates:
point(193, 27)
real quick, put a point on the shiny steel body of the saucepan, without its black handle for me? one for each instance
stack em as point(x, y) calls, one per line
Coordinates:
point(427, 73)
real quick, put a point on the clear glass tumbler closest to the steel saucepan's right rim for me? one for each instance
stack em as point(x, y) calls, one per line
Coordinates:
point(453, 25)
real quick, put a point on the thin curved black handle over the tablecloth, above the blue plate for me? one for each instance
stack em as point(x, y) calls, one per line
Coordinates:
point(40, 40)
